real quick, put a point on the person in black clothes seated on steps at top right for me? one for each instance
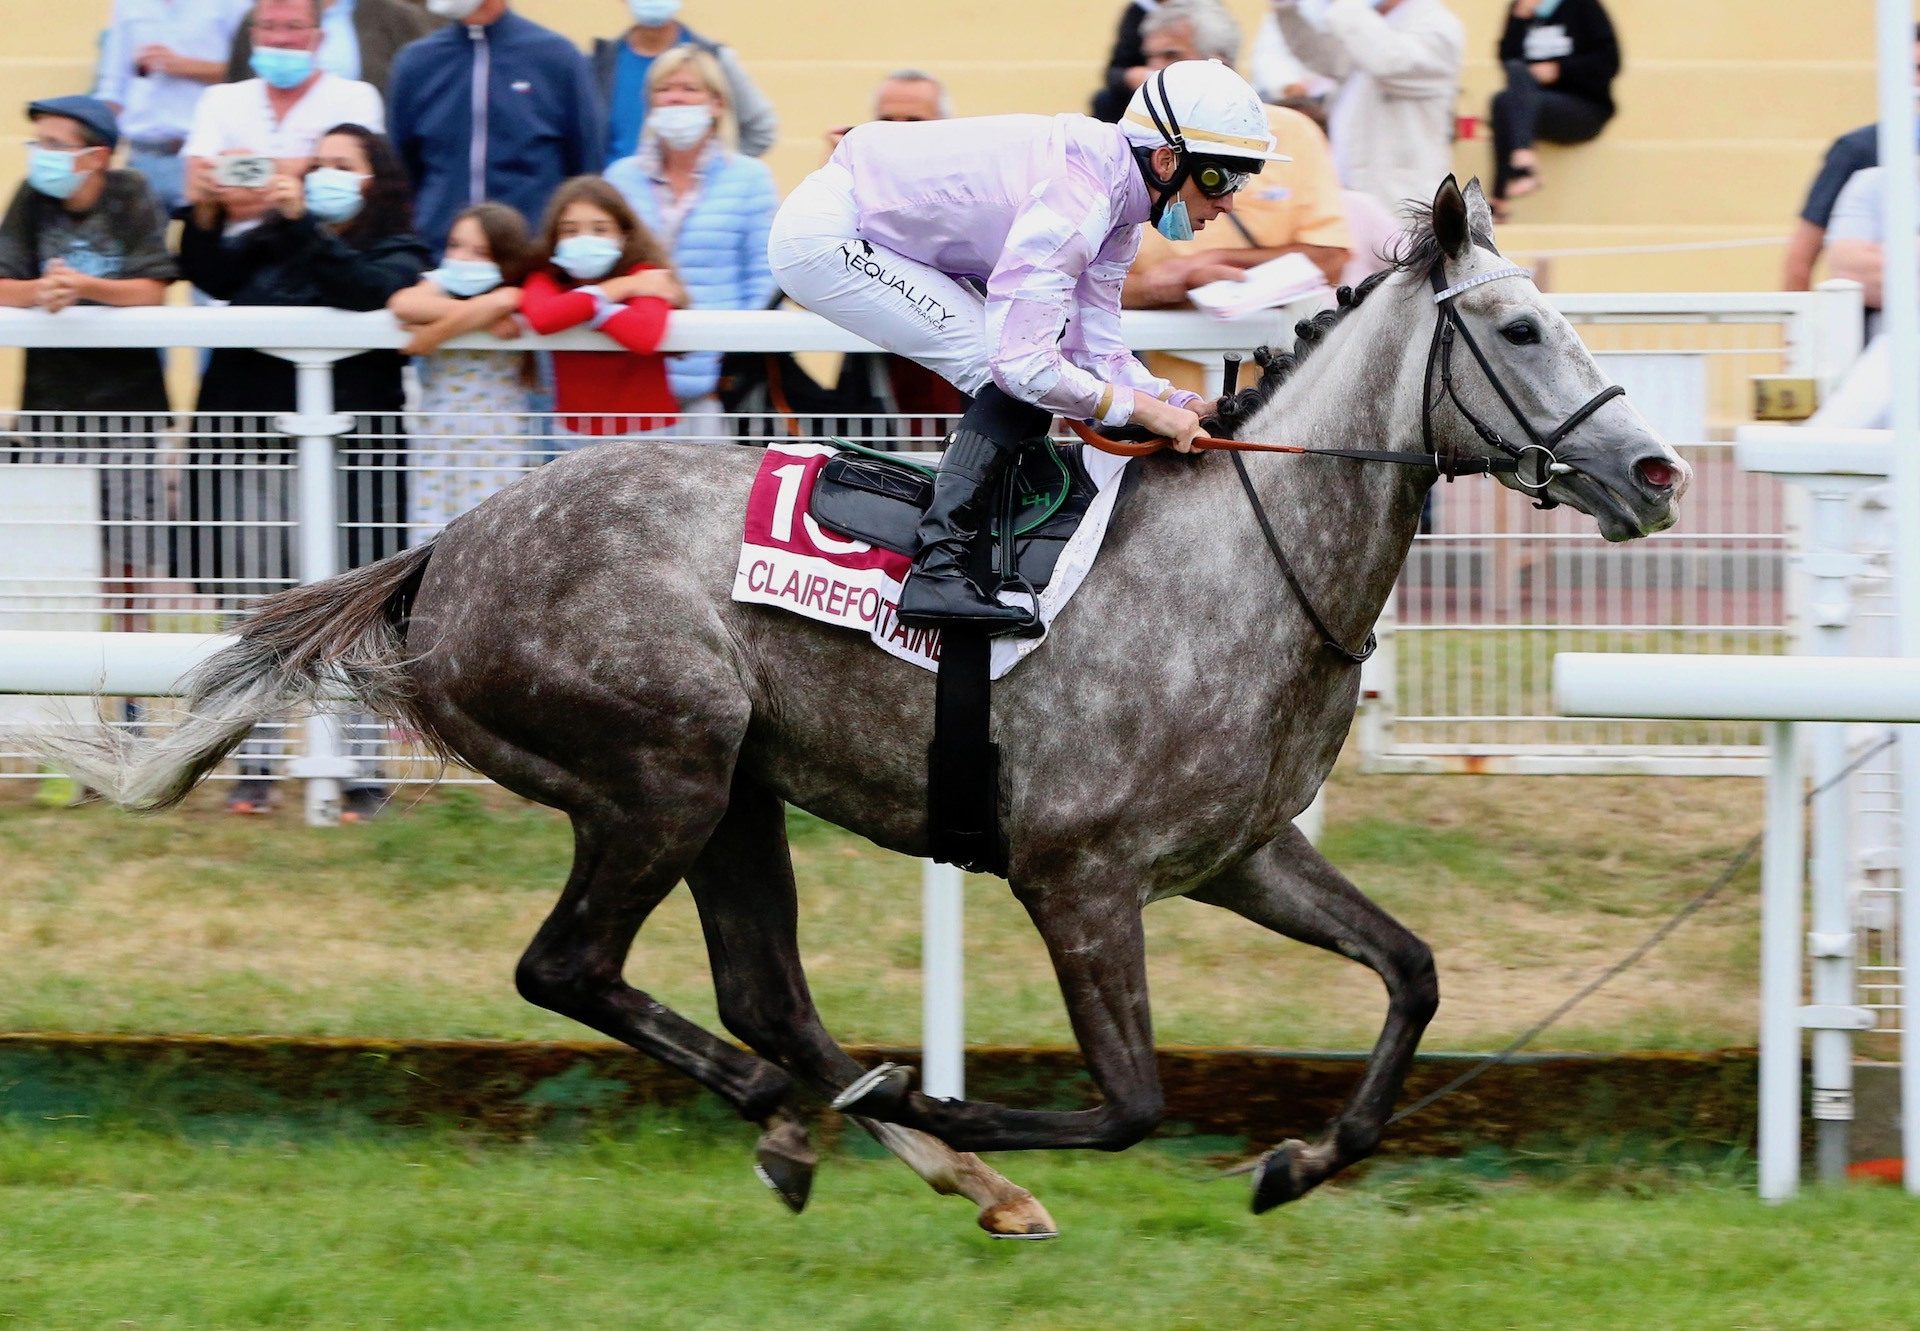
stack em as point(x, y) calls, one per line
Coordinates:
point(1562, 59)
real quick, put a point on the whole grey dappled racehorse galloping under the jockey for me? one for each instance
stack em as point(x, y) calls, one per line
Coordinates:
point(575, 641)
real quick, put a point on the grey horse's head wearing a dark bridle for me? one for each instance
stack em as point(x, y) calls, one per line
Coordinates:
point(1506, 374)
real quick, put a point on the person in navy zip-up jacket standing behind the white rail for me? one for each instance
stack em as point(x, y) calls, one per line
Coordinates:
point(537, 128)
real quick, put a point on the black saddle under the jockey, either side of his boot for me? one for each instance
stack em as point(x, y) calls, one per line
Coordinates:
point(878, 498)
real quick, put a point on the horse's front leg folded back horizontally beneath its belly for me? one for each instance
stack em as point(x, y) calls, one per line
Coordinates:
point(1099, 954)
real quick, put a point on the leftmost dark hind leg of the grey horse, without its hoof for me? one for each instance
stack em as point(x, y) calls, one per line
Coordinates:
point(623, 869)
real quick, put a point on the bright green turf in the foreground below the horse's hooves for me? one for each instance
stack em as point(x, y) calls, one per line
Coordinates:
point(669, 1230)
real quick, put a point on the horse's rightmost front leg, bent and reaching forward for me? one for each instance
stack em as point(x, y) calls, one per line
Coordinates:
point(1293, 890)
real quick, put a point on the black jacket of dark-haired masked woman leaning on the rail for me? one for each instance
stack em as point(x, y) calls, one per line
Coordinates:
point(300, 264)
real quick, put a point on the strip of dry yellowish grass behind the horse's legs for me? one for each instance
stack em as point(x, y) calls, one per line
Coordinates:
point(197, 921)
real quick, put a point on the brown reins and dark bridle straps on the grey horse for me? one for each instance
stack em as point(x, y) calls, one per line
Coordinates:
point(1439, 358)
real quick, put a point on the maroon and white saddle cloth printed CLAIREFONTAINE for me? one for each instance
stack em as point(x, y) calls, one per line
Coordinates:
point(792, 560)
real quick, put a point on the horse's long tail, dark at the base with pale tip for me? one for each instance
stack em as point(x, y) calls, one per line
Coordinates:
point(343, 635)
